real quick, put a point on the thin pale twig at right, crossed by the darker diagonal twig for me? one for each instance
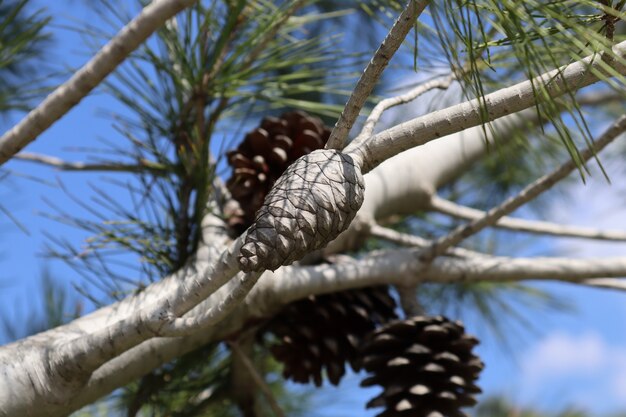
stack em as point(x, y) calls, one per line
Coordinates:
point(522, 225)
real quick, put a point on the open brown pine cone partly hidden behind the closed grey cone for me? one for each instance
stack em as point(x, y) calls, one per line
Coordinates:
point(264, 155)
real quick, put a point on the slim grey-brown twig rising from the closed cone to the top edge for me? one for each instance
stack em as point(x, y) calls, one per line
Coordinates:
point(373, 71)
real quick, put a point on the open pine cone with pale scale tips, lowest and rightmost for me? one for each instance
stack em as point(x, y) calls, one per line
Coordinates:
point(425, 366)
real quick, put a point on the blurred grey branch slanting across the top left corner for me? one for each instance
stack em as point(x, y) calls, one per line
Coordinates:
point(89, 76)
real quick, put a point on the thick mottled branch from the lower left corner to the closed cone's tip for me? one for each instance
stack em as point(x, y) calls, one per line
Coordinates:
point(89, 343)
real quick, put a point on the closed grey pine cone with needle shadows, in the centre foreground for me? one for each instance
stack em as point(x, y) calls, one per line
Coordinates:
point(311, 204)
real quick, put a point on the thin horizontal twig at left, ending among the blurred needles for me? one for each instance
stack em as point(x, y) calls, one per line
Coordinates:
point(142, 165)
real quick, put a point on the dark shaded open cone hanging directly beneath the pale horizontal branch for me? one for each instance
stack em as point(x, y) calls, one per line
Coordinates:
point(324, 332)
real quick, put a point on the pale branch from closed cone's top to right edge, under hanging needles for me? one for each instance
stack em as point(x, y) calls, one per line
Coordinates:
point(421, 130)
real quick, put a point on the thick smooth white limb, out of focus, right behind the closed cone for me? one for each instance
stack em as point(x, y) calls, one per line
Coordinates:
point(435, 164)
